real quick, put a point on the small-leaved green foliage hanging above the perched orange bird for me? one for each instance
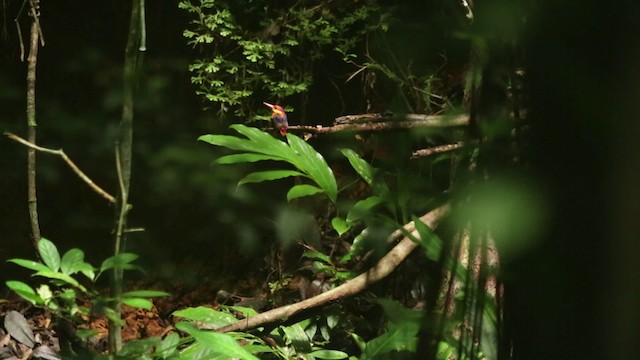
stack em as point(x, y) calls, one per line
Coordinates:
point(251, 47)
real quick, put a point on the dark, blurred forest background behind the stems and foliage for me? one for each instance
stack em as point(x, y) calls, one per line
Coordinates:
point(574, 295)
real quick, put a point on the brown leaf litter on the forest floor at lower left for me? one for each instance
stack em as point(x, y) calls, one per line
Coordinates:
point(139, 323)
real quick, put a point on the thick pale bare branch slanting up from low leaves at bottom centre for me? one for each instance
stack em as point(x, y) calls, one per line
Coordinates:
point(383, 268)
